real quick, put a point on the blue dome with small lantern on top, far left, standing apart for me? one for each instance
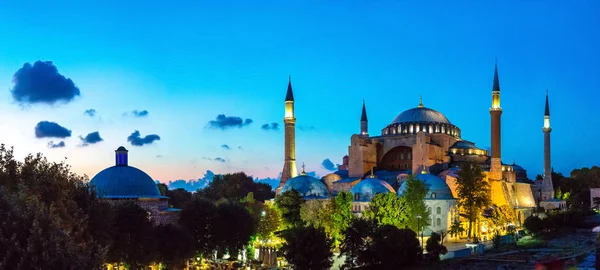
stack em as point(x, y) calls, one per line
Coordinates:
point(124, 182)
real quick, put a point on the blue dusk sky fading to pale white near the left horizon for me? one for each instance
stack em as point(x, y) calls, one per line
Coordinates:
point(180, 64)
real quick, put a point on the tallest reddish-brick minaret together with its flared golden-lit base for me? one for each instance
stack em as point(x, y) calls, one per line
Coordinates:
point(495, 175)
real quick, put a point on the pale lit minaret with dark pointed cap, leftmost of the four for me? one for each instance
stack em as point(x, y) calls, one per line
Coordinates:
point(289, 165)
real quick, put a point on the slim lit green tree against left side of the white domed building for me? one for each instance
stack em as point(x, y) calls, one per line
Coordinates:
point(414, 196)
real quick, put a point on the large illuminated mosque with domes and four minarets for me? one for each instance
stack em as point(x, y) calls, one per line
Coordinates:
point(422, 142)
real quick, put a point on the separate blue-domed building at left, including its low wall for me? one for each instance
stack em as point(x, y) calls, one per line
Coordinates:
point(127, 183)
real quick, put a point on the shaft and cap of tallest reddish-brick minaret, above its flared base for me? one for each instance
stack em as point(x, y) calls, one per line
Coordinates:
point(495, 113)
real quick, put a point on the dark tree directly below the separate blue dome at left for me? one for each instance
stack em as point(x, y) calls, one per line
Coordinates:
point(133, 241)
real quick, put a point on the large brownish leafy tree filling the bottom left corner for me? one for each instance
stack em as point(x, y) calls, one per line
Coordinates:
point(43, 212)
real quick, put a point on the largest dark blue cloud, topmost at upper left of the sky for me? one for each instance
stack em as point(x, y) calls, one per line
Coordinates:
point(41, 83)
